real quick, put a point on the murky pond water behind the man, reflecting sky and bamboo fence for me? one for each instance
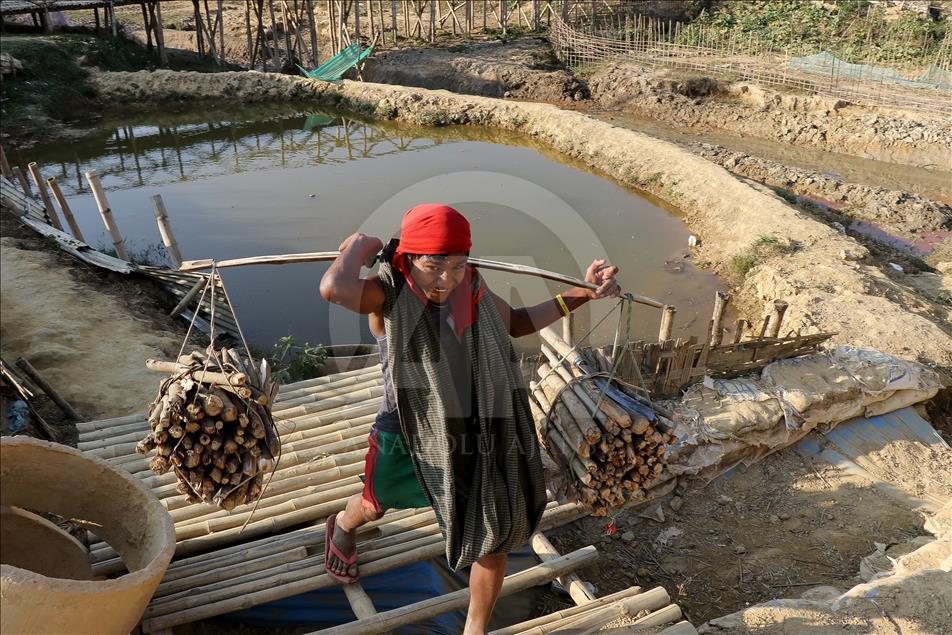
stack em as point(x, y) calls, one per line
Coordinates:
point(240, 183)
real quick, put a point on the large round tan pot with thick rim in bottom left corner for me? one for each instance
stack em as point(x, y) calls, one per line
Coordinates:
point(47, 477)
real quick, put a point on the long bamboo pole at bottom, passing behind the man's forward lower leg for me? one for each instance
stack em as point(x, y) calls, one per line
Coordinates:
point(426, 609)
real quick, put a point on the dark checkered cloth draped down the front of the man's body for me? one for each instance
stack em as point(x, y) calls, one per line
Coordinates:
point(505, 495)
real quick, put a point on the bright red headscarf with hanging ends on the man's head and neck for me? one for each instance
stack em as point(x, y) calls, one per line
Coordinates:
point(439, 229)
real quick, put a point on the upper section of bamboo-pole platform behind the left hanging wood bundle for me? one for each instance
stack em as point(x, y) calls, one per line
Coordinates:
point(323, 424)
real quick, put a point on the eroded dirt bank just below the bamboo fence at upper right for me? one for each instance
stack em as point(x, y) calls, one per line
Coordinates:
point(706, 104)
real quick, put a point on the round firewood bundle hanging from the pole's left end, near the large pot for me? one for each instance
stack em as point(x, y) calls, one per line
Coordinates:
point(211, 423)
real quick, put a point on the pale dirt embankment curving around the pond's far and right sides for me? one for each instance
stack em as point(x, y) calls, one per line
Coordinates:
point(830, 279)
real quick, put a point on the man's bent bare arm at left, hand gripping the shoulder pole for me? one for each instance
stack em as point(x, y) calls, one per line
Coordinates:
point(342, 284)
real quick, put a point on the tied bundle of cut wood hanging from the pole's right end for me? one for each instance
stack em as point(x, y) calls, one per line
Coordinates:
point(613, 444)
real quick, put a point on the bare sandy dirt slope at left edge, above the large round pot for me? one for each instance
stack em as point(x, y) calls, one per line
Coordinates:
point(88, 334)
